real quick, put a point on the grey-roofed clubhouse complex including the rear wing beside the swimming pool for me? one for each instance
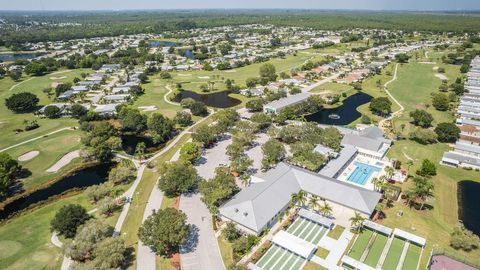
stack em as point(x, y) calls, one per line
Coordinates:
point(258, 206)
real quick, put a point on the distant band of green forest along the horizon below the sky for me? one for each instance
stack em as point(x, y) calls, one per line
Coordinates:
point(95, 24)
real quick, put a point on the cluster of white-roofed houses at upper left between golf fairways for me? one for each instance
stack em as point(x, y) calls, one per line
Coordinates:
point(102, 91)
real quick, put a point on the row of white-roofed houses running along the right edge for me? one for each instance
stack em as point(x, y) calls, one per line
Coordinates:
point(466, 152)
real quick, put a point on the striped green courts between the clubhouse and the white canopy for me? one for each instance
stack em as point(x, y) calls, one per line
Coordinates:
point(307, 230)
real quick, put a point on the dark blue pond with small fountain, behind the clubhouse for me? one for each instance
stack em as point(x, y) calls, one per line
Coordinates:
point(342, 115)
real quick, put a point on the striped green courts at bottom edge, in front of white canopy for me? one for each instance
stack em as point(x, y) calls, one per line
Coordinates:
point(279, 258)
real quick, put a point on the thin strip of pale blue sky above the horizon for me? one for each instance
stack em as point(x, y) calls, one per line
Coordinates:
point(239, 4)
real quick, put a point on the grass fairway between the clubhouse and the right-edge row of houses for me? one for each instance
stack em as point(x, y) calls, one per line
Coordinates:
point(412, 89)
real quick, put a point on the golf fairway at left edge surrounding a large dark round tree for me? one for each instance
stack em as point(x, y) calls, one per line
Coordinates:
point(10, 121)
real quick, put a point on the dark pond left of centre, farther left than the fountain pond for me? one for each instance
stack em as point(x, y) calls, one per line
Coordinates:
point(217, 100)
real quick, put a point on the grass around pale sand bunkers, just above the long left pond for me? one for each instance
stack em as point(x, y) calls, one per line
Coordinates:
point(51, 149)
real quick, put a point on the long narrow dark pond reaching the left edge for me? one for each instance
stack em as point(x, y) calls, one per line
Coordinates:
point(84, 178)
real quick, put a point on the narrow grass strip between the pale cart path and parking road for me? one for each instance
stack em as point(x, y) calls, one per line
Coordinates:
point(140, 199)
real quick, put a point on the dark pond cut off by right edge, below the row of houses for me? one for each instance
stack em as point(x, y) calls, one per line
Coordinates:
point(468, 201)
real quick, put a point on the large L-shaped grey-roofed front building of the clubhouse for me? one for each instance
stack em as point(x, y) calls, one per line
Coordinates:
point(258, 206)
